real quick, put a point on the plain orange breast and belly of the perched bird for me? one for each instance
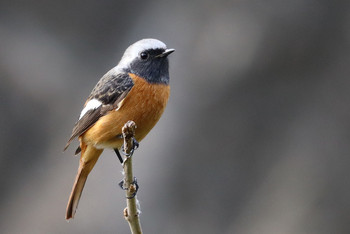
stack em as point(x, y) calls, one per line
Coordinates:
point(144, 105)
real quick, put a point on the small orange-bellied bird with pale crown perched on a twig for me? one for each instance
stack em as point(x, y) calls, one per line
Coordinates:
point(136, 89)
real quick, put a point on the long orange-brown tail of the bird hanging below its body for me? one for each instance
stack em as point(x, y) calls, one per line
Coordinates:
point(88, 159)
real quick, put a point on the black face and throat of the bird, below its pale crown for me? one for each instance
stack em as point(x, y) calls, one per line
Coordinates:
point(151, 66)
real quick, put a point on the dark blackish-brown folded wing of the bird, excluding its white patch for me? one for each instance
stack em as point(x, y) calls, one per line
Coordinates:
point(110, 91)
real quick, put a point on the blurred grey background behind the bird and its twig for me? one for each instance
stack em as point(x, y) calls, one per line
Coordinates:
point(255, 138)
